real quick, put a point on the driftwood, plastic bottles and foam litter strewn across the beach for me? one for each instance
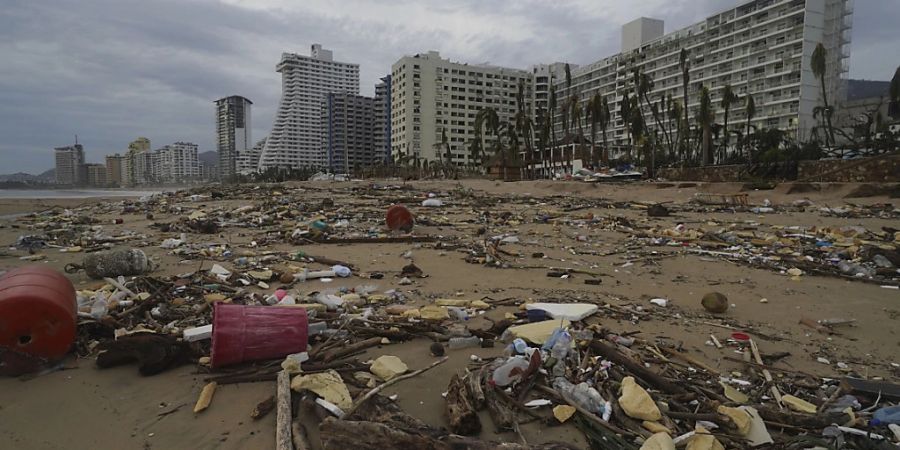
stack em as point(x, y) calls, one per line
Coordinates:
point(251, 305)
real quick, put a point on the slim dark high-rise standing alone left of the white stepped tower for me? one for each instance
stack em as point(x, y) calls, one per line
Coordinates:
point(232, 132)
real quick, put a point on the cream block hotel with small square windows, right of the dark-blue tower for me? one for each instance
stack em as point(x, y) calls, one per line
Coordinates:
point(430, 95)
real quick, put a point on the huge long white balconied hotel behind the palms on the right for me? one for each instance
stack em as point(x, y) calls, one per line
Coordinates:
point(761, 47)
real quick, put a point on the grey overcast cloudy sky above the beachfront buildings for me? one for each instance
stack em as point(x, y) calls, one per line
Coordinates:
point(112, 70)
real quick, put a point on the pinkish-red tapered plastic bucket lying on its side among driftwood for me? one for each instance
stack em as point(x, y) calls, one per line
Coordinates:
point(249, 333)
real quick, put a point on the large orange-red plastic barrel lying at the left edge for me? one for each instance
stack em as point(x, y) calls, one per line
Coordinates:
point(37, 312)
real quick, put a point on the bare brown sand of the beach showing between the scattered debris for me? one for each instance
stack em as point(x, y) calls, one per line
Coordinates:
point(84, 407)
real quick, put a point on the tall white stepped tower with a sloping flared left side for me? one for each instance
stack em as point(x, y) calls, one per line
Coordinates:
point(296, 137)
